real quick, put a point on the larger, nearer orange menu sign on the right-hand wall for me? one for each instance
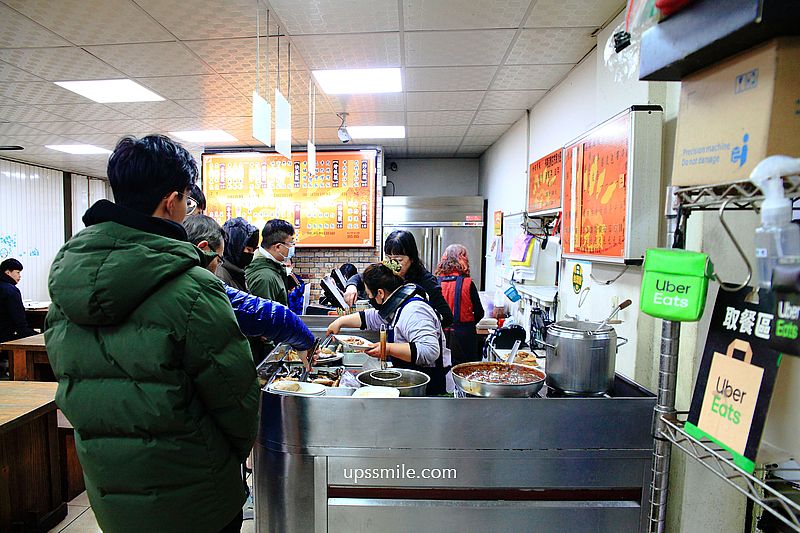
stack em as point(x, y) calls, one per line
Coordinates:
point(595, 191)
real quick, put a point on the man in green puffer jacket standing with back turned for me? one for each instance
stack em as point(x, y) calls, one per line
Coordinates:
point(153, 371)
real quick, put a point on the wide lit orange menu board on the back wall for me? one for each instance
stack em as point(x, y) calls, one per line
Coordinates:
point(333, 208)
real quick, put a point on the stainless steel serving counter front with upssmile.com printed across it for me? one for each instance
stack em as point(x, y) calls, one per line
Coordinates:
point(329, 464)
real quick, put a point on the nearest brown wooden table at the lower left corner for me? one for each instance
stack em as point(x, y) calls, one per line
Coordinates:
point(30, 478)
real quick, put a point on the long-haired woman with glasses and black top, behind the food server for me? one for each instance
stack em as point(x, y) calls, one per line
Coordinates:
point(401, 247)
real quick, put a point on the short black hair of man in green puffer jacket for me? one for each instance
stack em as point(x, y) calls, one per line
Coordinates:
point(143, 171)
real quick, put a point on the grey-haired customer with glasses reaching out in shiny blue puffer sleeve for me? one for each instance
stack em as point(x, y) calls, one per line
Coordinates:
point(257, 317)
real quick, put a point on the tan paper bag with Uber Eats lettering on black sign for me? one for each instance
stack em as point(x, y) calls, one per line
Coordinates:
point(730, 397)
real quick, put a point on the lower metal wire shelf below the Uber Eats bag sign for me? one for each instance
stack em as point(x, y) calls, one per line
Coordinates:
point(763, 488)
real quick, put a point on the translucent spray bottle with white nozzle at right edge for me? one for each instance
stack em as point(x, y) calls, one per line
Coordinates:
point(777, 237)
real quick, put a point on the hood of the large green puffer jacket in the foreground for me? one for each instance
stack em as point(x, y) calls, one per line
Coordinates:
point(103, 273)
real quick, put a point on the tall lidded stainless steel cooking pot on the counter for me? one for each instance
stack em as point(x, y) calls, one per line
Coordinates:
point(581, 357)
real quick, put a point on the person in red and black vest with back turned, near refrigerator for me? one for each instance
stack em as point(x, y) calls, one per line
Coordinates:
point(461, 294)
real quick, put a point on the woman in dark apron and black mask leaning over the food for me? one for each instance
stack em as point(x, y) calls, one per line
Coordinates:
point(415, 336)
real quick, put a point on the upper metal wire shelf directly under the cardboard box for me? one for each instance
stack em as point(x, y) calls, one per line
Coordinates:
point(742, 194)
